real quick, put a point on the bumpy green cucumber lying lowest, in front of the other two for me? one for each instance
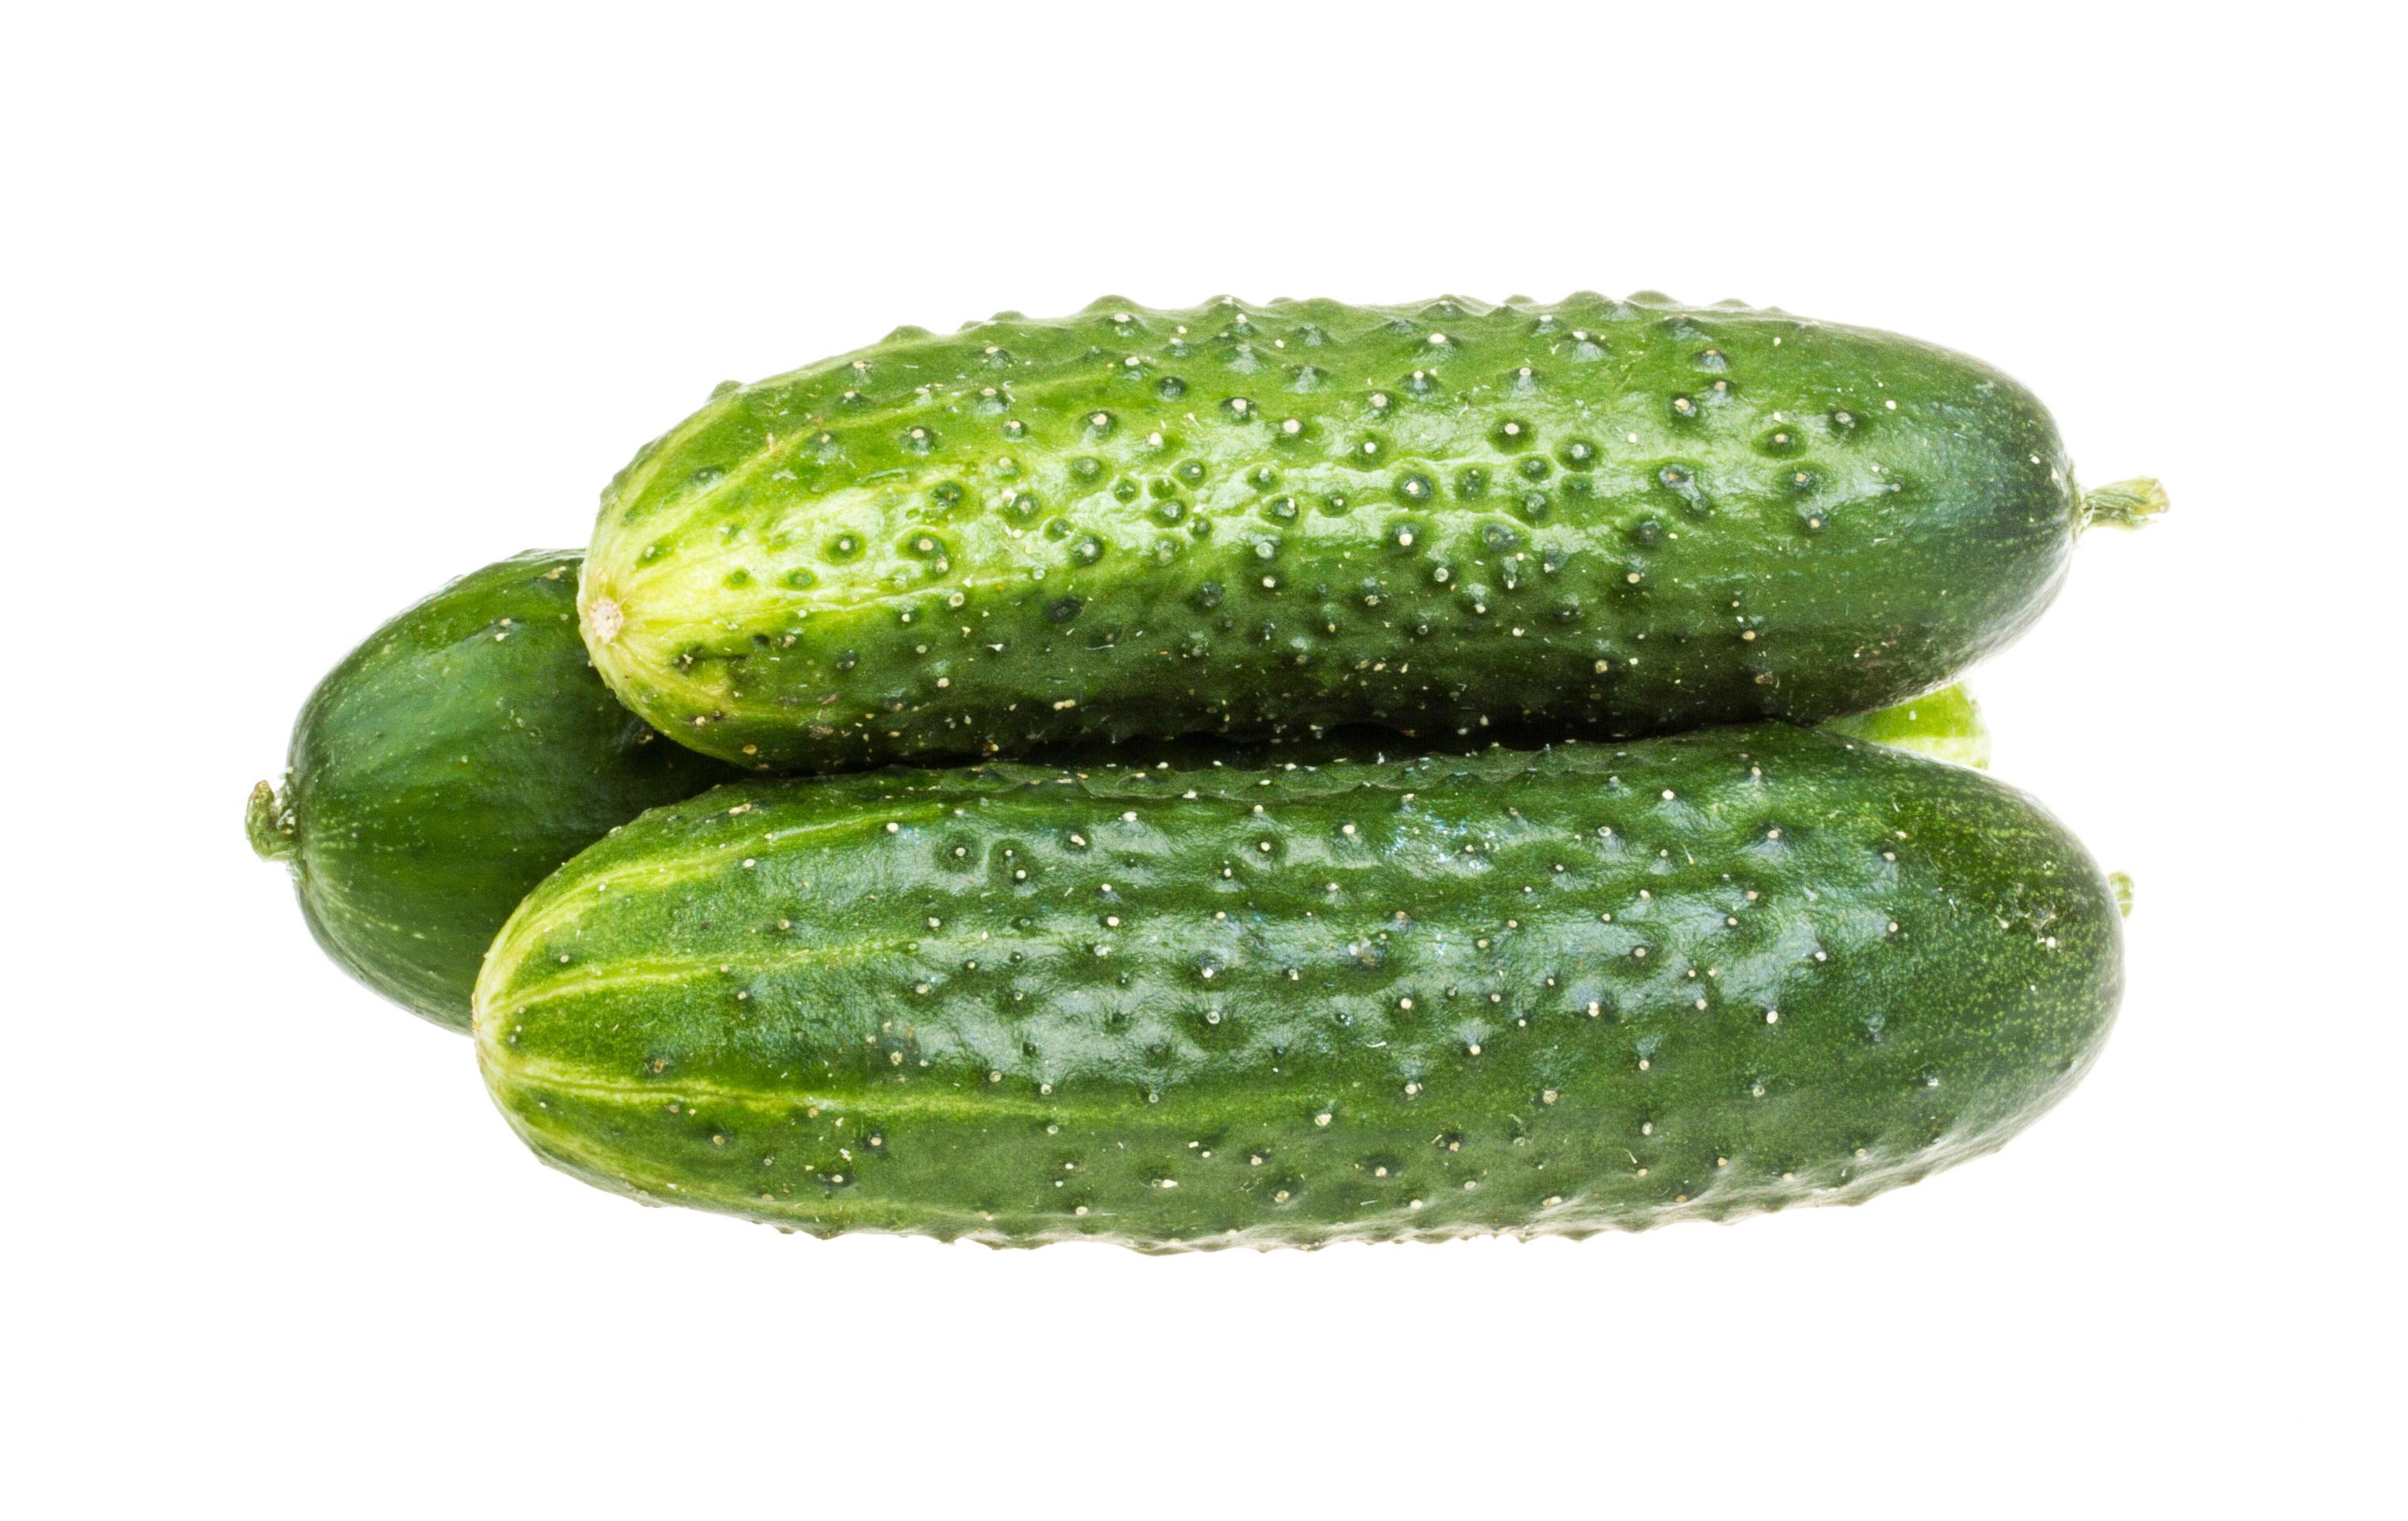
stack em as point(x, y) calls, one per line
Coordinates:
point(1299, 1006)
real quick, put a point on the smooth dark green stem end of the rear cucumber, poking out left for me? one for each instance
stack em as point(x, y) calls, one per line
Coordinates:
point(447, 768)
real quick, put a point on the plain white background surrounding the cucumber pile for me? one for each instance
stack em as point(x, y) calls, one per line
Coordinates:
point(317, 310)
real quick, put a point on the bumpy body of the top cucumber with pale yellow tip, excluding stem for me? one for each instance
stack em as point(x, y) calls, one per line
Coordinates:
point(1595, 517)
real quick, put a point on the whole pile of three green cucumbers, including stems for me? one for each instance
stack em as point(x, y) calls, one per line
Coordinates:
point(1249, 775)
